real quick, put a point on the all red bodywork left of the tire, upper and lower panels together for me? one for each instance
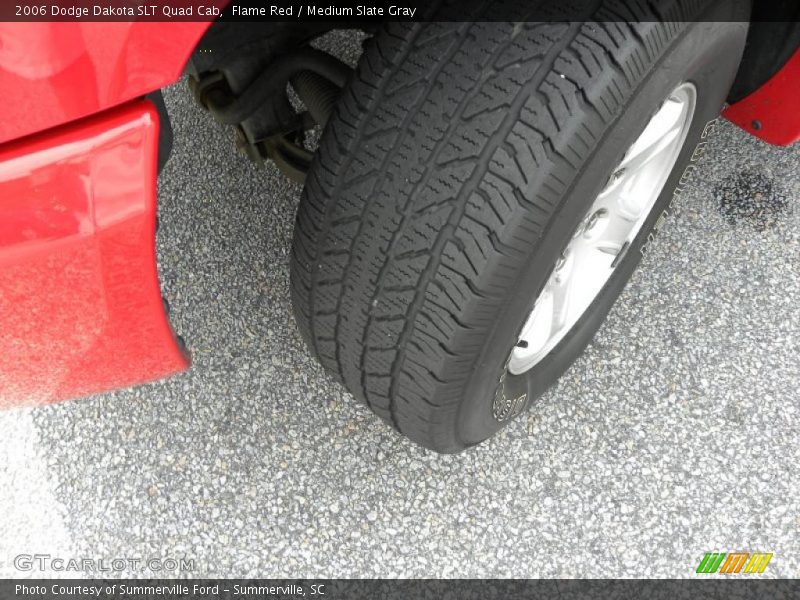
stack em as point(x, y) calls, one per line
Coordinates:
point(80, 305)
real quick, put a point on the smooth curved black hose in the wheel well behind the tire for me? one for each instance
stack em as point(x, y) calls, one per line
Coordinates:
point(273, 80)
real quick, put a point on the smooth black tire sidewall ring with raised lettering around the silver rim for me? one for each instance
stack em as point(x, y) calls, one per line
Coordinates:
point(706, 54)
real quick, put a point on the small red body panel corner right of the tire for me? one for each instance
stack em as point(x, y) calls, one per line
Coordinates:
point(772, 112)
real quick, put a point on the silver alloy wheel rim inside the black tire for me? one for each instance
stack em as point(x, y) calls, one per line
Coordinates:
point(605, 234)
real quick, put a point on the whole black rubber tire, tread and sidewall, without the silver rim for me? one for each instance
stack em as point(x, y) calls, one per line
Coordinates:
point(456, 167)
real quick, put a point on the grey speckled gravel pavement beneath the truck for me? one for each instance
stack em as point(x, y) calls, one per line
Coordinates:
point(674, 434)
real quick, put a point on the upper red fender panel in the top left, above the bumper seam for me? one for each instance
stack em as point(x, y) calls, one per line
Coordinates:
point(54, 73)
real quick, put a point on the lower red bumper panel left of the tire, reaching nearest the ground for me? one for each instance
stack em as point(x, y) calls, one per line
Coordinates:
point(80, 305)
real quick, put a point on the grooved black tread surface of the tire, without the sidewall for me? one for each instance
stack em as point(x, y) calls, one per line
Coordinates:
point(448, 153)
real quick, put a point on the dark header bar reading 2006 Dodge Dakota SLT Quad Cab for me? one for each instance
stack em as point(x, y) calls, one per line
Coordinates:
point(343, 11)
